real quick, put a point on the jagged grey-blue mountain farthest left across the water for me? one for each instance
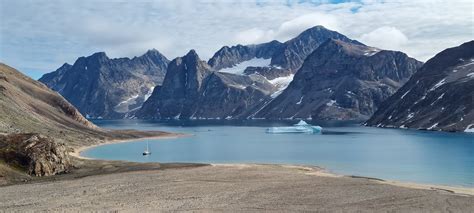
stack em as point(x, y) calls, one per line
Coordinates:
point(101, 87)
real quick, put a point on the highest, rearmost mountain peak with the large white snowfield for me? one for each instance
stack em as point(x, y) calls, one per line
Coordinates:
point(283, 59)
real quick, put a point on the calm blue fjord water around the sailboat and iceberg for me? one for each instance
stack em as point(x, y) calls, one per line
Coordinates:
point(343, 148)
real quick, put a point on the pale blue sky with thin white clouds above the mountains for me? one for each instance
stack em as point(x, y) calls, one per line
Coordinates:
point(37, 37)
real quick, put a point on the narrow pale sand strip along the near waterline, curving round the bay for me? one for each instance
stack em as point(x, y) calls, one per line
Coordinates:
point(308, 170)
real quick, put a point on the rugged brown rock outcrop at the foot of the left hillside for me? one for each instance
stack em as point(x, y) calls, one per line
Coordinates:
point(35, 153)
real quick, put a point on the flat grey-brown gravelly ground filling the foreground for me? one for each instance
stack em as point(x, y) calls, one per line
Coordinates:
point(227, 187)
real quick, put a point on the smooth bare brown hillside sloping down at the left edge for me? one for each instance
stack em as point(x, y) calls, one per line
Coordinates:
point(29, 106)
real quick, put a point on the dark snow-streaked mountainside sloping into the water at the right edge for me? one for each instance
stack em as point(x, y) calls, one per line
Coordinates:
point(439, 96)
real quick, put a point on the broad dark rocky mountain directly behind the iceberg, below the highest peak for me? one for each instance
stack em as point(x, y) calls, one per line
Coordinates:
point(341, 80)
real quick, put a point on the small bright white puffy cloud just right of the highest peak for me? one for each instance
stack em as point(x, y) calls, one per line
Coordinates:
point(389, 38)
